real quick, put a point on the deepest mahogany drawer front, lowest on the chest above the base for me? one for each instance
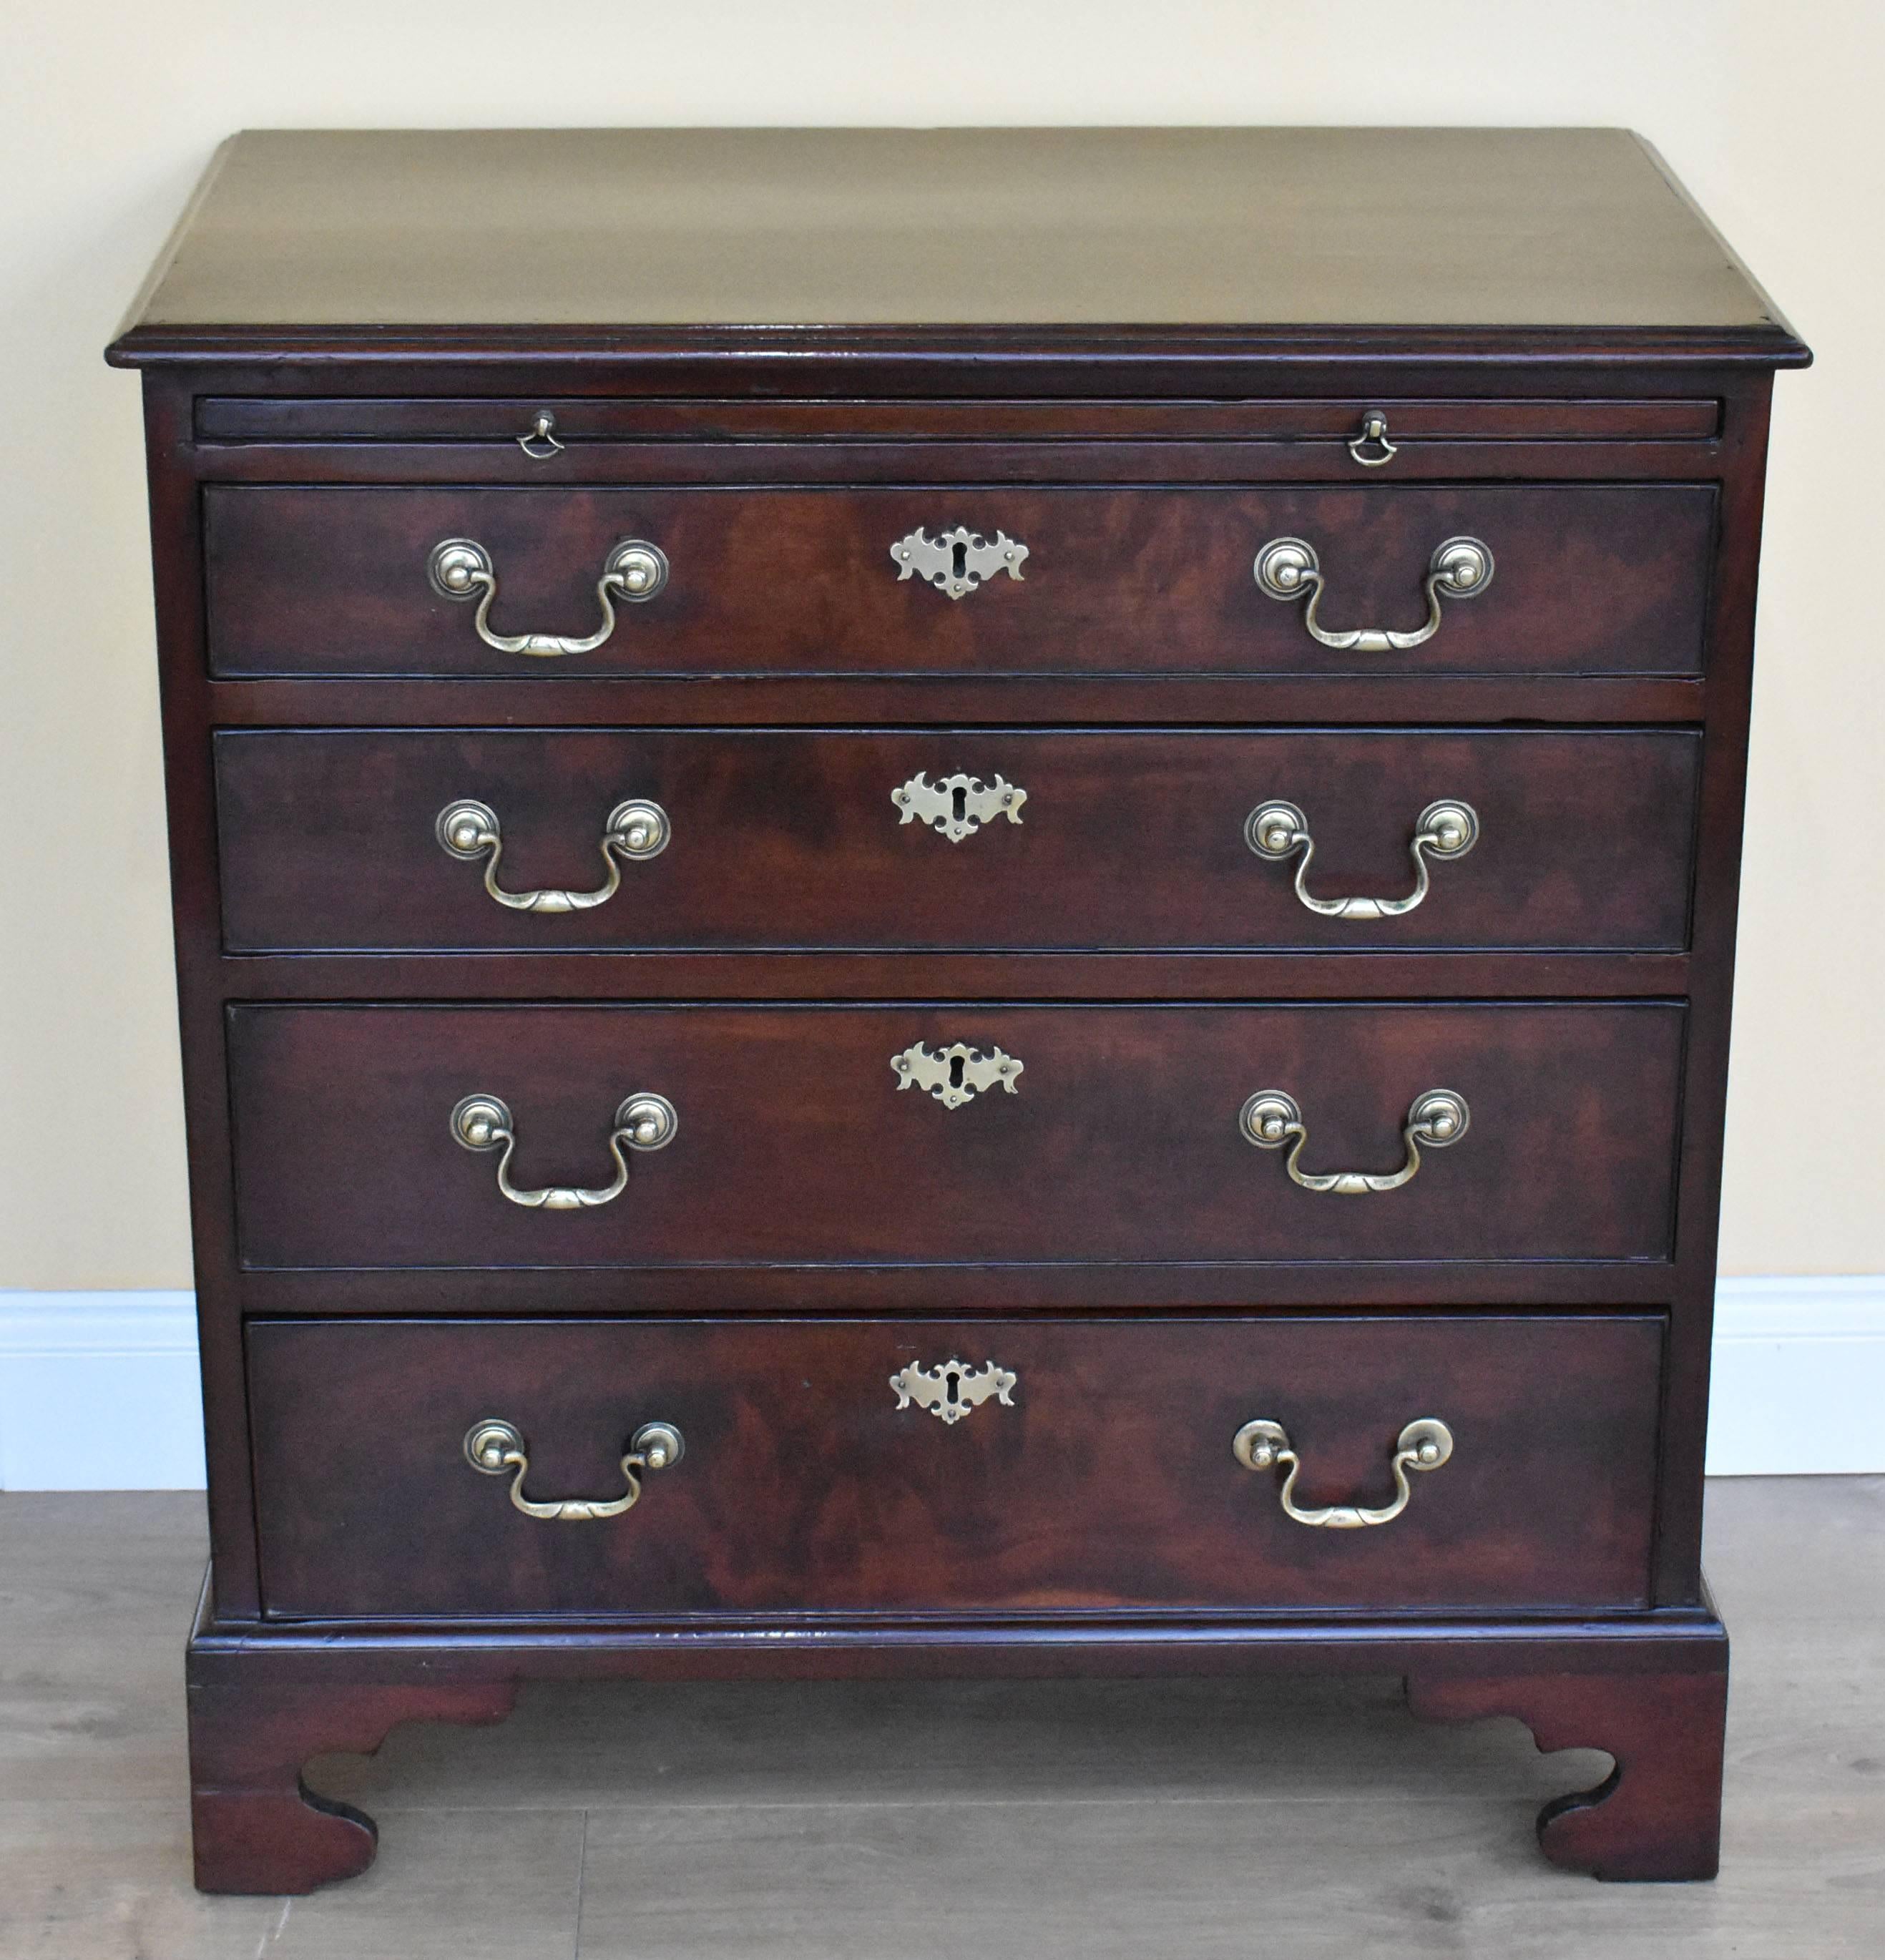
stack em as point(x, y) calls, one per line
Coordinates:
point(1106, 1477)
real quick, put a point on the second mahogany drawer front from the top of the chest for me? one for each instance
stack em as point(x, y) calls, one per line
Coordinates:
point(1004, 840)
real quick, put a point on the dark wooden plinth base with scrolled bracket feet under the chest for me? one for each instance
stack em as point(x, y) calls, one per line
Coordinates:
point(266, 1698)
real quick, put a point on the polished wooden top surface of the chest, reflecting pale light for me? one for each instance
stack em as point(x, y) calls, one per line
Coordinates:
point(1257, 230)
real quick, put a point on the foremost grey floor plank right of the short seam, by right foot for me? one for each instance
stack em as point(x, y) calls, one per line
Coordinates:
point(1055, 1881)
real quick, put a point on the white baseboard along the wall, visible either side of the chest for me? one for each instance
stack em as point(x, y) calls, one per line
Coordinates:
point(99, 1391)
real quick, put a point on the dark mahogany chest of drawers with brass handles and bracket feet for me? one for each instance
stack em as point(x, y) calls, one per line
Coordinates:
point(953, 903)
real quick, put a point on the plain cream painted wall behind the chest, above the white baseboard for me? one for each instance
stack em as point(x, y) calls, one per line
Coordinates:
point(109, 113)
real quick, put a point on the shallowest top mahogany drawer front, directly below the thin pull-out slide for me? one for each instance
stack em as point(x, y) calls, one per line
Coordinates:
point(1604, 579)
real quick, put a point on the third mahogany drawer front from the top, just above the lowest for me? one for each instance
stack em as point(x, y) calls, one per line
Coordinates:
point(1114, 1136)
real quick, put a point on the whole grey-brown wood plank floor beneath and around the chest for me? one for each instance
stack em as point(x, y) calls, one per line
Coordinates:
point(965, 1820)
